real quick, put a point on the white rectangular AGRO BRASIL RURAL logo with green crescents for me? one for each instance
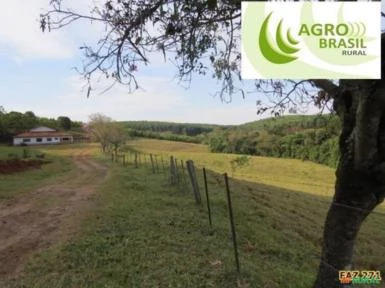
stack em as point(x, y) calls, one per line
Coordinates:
point(324, 40)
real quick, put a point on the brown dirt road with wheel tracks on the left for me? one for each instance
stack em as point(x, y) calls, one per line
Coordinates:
point(47, 216)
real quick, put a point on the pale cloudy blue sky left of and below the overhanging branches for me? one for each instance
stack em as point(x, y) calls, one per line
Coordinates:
point(36, 74)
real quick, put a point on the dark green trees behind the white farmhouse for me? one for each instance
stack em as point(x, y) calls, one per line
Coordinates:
point(12, 123)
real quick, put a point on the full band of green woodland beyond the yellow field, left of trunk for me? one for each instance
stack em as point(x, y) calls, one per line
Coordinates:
point(313, 138)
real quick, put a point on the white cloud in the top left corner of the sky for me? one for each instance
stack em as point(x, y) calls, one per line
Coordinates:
point(22, 38)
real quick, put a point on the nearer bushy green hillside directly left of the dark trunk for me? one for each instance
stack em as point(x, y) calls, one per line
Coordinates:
point(307, 137)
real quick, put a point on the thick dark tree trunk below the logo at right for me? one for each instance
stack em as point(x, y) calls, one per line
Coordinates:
point(360, 183)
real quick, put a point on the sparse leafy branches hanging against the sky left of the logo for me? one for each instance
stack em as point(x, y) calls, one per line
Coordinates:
point(197, 36)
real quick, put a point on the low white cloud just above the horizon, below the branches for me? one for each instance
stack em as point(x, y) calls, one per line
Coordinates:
point(156, 101)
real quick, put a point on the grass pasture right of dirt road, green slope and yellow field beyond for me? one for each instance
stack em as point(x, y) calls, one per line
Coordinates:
point(145, 233)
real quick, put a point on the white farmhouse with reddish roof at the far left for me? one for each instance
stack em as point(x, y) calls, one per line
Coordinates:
point(42, 136)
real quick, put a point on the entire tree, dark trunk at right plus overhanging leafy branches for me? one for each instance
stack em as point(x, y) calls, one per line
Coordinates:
point(204, 36)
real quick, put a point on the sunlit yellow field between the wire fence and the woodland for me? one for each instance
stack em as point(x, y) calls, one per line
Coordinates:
point(285, 173)
